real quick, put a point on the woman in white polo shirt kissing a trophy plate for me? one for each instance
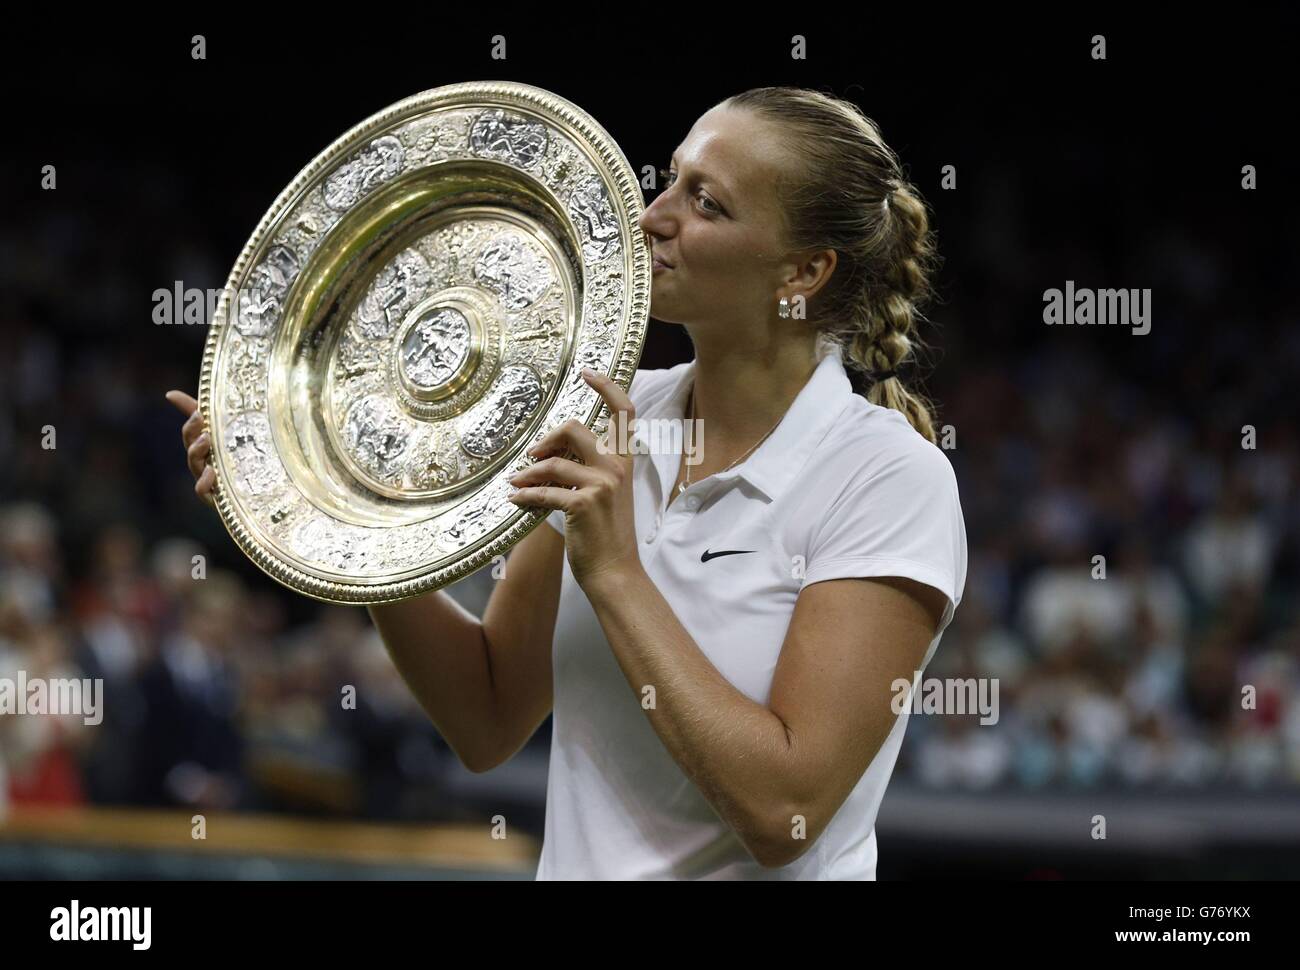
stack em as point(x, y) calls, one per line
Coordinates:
point(722, 642)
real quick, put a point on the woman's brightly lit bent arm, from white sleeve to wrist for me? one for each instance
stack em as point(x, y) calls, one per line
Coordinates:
point(829, 713)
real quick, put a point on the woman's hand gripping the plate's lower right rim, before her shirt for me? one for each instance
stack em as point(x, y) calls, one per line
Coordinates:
point(596, 495)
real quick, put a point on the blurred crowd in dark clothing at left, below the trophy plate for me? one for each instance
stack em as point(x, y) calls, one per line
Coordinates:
point(213, 699)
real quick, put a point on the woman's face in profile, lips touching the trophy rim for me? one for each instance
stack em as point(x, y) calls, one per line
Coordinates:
point(718, 226)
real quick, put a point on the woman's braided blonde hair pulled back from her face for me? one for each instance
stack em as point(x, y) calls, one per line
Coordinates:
point(851, 196)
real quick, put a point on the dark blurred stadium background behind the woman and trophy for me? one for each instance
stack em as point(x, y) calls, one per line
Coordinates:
point(1071, 441)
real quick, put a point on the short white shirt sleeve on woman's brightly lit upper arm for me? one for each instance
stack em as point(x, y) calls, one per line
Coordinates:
point(900, 519)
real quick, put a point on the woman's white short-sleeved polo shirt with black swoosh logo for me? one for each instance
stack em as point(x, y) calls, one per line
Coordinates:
point(850, 487)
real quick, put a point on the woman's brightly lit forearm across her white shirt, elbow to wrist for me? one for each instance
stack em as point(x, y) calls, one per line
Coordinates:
point(735, 750)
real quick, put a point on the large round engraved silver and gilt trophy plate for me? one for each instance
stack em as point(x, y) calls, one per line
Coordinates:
point(408, 321)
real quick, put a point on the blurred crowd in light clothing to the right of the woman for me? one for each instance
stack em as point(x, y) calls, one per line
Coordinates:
point(1173, 664)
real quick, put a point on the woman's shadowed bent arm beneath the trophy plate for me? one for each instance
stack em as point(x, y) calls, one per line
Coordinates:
point(487, 686)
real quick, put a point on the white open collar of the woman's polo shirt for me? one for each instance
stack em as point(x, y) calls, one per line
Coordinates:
point(774, 465)
